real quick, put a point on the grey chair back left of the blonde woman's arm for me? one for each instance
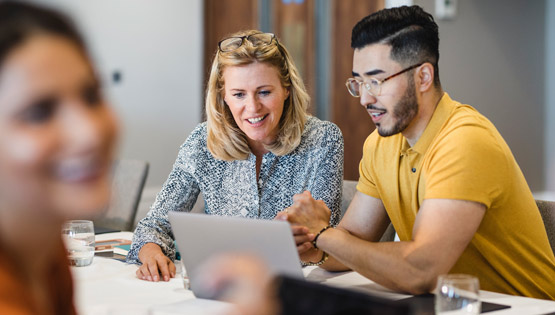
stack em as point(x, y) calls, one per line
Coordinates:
point(127, 188)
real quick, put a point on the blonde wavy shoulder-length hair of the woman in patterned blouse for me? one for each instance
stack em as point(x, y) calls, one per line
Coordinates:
point(225, 140)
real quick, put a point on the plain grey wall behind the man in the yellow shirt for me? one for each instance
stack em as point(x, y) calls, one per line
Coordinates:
point(492, 56)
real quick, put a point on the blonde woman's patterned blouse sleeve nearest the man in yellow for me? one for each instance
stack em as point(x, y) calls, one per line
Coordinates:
point(328, 183)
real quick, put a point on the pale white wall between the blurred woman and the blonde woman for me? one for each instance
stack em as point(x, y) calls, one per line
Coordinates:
point(157, 47)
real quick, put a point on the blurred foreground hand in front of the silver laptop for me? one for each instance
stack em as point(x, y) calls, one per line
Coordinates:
point(240, 279)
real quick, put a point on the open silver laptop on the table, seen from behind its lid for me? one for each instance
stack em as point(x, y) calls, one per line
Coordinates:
point(200, 236)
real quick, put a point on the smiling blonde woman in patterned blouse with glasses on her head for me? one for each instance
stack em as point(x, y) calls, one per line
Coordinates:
point(257, 149)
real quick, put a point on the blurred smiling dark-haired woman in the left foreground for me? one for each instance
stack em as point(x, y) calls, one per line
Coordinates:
point(56, 142)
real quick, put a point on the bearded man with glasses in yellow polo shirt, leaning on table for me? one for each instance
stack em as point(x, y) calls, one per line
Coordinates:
point(435, 168)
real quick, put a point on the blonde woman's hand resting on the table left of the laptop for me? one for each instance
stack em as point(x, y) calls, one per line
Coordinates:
point(156, 265)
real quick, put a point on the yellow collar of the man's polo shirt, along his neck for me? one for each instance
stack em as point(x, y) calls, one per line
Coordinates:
point(441, 114)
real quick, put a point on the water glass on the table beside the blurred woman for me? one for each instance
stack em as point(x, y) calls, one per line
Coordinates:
point(78, 236)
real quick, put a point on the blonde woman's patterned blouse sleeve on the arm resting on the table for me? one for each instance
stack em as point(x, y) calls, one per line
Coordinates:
point(179, 193)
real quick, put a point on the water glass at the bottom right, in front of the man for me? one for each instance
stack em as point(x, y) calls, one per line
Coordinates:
point(457, 294)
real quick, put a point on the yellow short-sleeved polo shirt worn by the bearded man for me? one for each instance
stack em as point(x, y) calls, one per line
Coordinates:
point(462, 156)
